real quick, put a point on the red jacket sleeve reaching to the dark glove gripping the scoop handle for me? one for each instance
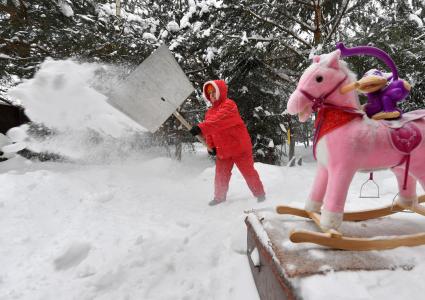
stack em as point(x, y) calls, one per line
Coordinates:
point(226, 116)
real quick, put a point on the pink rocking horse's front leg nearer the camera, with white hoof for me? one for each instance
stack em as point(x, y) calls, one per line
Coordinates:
point(336, 193)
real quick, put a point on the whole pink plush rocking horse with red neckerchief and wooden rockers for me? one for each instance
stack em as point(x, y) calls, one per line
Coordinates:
point(347, 141)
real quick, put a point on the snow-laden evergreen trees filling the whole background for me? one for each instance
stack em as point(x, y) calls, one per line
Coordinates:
point(260, 47)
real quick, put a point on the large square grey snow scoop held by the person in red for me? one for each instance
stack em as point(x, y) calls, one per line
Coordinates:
point(154, 91)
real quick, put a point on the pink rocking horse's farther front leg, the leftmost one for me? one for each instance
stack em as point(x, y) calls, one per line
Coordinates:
point(315, 201)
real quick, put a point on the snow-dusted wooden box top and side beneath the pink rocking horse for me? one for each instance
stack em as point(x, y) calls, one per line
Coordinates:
point(283, 264)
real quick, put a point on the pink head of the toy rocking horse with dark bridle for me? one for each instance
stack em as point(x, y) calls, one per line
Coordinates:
point(320, 85)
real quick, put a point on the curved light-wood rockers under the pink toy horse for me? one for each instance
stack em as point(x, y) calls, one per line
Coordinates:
point(335, 239)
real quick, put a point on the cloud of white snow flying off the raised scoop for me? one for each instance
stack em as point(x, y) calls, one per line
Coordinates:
point(60, 96)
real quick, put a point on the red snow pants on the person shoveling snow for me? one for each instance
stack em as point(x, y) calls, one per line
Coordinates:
point(223, 172)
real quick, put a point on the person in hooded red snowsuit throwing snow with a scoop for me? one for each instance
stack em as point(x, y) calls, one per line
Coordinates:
point(227, 136)
